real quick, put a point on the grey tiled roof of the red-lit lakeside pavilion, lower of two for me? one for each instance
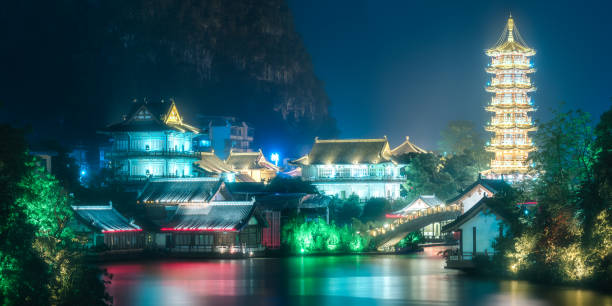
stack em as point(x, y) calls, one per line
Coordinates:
point(214, 216)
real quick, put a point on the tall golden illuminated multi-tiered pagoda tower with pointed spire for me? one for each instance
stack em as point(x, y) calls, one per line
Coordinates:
point(510, 104)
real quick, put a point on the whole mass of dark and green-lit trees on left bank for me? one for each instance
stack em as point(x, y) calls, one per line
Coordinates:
point(40, 258)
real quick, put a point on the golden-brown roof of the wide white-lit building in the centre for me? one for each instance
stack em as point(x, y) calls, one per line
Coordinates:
point(347, 151)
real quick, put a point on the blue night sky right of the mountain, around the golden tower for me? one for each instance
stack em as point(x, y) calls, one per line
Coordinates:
point(409, 67)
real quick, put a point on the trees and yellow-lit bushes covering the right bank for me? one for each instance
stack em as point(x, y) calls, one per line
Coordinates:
point(567, 238)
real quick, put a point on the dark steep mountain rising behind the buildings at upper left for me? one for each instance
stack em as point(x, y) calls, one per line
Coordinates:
point(91, 59)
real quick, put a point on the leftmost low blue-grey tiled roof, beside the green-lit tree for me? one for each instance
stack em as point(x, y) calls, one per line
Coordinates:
point(104, 218)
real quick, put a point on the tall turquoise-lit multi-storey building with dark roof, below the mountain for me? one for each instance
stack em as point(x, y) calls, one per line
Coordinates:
point(152, 141)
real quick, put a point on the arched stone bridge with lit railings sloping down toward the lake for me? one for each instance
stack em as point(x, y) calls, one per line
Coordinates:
point(389, 235)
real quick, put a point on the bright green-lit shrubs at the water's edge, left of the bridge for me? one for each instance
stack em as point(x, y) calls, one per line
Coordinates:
point(319, 237)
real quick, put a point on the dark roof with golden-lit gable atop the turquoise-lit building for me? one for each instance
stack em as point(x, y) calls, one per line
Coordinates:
point(150, 117)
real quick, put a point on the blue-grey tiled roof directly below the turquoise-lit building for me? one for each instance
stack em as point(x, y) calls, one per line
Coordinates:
point(180, 190)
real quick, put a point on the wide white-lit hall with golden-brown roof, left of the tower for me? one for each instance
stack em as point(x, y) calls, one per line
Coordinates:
point(343, 167)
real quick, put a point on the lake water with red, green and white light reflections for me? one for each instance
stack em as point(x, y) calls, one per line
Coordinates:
point(417, 279)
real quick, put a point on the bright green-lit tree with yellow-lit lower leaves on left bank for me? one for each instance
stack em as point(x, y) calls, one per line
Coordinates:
point(47, 208)
